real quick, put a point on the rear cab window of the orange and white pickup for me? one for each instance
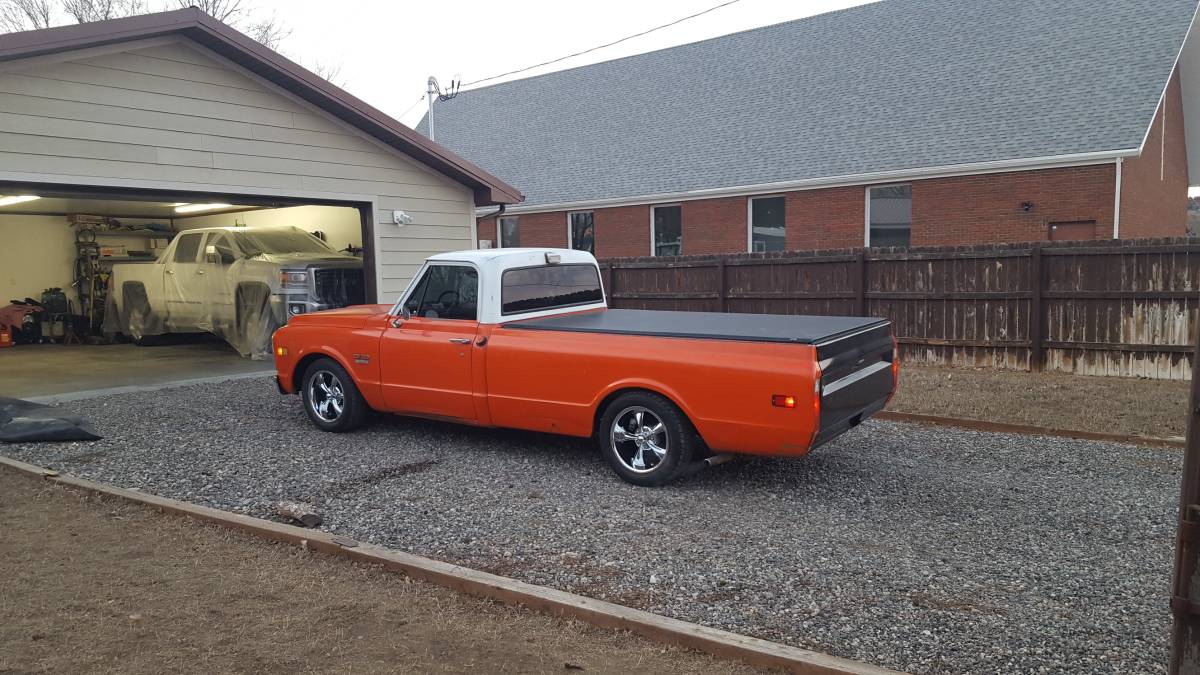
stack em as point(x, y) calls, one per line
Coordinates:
point(549, 288)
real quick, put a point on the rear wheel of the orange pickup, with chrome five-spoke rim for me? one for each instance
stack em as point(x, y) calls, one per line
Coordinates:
point(646, 439)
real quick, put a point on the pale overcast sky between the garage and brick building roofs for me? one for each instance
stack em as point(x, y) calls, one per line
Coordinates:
point(389, 49)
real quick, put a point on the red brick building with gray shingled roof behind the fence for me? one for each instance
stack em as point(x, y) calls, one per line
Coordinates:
point(898, 123)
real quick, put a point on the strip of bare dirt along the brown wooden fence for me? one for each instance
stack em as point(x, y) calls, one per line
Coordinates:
point(1112, 405)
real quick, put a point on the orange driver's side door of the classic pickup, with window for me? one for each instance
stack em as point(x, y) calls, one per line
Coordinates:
point(427, 361)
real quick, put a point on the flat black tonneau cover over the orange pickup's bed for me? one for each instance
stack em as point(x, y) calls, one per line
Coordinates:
point(711, 326)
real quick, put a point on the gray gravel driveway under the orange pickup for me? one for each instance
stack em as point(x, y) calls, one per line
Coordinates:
point(923, 549)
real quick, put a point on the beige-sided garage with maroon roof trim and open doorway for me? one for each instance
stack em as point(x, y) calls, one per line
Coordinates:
point(143, 128)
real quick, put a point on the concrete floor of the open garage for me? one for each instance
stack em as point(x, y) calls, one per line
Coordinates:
point(63, 373)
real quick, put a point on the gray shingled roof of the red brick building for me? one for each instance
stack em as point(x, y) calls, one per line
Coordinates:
point(899, 85)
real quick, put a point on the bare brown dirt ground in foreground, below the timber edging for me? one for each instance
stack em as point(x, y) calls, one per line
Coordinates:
point(101, 587)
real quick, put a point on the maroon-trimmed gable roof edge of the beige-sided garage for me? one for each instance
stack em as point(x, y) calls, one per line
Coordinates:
point(273, 67)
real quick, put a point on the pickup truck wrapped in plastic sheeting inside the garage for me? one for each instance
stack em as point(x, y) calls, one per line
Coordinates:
point(241, 284)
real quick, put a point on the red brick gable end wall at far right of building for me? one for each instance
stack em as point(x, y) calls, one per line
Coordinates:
point(1154, 187)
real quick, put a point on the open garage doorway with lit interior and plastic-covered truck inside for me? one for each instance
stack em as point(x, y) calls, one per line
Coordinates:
point(101, 266)
